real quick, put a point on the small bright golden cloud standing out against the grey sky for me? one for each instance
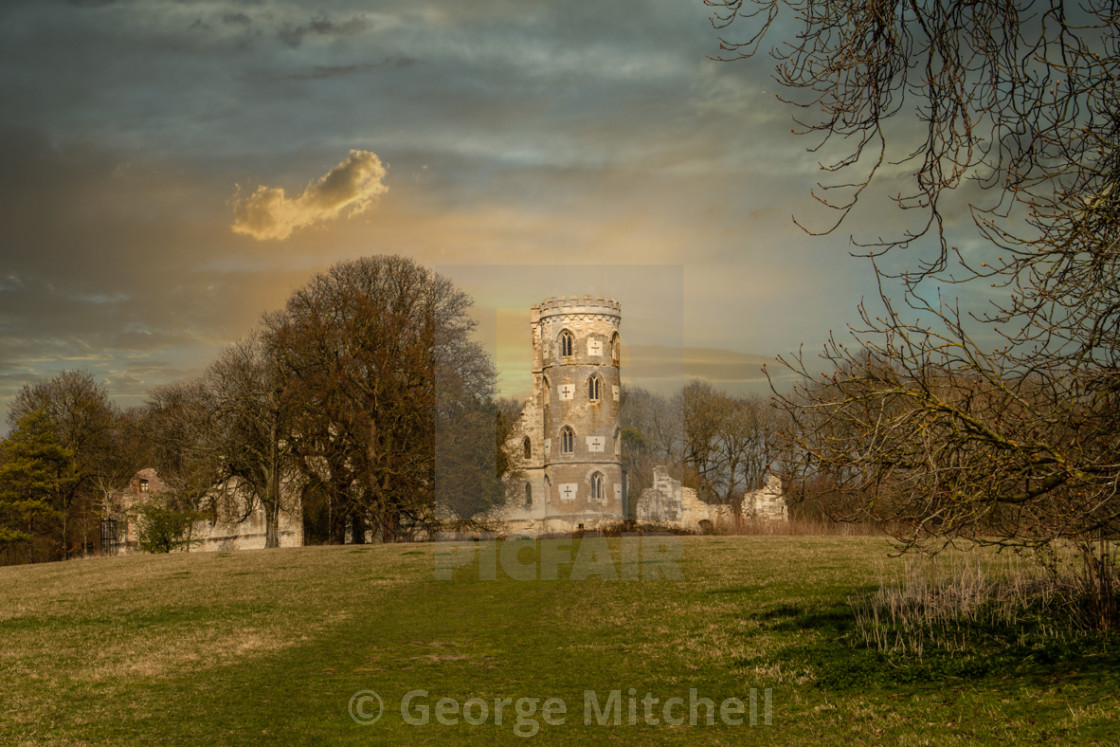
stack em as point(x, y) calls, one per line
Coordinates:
point(351, 188)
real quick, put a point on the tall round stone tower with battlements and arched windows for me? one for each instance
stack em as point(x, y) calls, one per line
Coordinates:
point(571, 445)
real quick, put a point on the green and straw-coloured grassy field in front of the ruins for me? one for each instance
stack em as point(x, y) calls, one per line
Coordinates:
point(273, 647)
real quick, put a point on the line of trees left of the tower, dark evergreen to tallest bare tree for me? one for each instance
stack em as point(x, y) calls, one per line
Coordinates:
point(363, 397)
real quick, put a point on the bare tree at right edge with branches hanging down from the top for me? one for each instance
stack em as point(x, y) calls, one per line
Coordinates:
point(1001, 425)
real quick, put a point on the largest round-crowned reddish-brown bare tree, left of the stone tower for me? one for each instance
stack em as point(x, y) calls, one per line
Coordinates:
point(376, 350)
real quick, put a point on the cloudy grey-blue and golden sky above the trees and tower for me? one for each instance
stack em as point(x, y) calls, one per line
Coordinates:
point(171, 171)
